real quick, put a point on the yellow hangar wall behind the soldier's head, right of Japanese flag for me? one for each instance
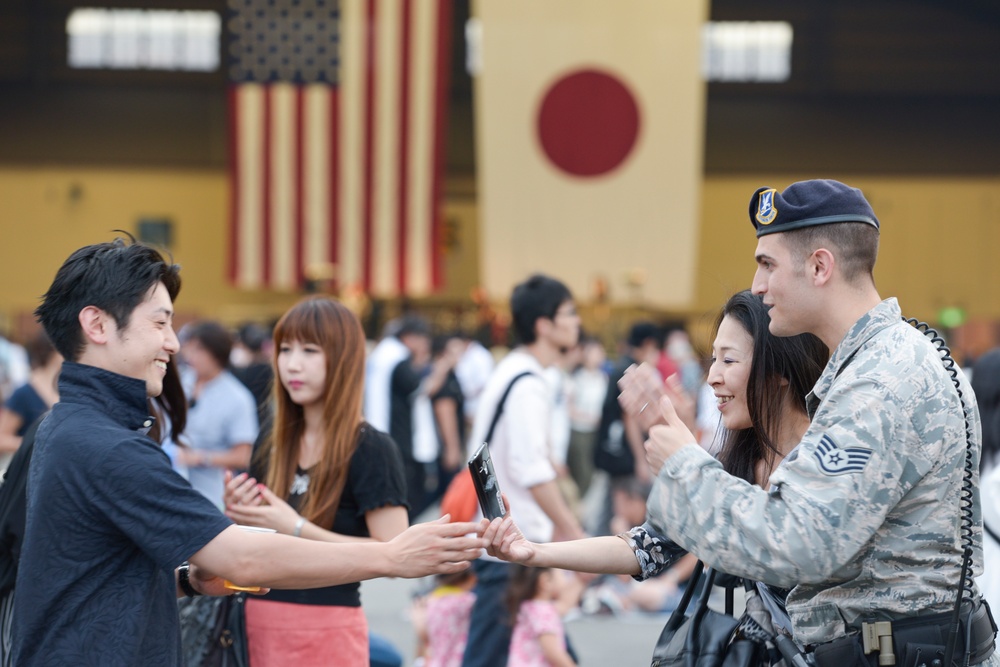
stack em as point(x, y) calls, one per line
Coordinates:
point(938, 240)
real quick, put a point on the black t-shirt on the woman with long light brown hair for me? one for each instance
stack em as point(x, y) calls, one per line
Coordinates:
point(375, 480)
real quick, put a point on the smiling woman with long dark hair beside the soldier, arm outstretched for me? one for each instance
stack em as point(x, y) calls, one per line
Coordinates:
point(760, 382)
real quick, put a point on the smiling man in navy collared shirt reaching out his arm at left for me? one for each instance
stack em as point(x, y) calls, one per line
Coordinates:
point(109, 522)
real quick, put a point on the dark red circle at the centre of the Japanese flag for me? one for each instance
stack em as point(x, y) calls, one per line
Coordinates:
point(588, 123)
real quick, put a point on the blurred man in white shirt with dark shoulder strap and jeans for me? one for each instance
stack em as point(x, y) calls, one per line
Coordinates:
point(546, 324)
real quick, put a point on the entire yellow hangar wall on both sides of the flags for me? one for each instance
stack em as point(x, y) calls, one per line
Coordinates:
point(939, 237)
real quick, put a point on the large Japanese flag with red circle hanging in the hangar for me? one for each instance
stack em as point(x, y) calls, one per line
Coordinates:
point(590, 118)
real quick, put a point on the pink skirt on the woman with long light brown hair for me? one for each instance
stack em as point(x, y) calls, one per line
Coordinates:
point(285, 633)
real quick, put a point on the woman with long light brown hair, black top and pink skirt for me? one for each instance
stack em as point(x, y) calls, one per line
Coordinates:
point(322, 474)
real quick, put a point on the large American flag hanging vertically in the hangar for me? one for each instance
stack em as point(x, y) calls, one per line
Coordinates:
point(337, 118)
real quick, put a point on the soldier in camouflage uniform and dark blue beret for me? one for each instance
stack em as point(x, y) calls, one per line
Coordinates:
point(861, 520)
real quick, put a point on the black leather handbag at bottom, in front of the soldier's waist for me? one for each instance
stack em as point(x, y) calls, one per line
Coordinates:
point(704, 637)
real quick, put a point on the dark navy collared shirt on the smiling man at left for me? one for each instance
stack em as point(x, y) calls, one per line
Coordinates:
point(108, 521)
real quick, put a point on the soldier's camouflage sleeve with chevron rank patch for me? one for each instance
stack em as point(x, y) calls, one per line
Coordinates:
point(827, 499)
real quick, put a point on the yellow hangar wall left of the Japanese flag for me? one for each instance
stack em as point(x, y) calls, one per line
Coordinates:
point(47, 213)
